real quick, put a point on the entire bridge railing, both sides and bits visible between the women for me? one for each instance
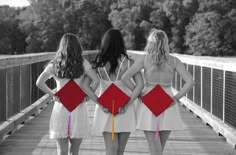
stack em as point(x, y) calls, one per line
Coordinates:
point(213, 97)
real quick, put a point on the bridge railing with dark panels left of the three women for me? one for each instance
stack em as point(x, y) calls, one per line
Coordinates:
point(20, 98)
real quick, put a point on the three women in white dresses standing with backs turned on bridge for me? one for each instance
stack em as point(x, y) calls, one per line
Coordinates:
point(113, 65)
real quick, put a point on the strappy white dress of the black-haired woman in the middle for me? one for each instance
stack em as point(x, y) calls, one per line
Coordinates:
point(102, 122)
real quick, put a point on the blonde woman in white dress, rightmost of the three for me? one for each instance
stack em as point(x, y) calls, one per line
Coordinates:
point(159, 68)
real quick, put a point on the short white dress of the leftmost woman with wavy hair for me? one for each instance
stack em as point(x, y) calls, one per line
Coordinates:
point(79, 124)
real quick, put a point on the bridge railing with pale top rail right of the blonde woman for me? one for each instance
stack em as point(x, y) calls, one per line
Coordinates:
point(213, 97)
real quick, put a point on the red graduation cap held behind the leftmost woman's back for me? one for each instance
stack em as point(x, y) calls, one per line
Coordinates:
point(71, 95)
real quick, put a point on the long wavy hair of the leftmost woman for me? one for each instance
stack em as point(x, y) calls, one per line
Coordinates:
point(68, 62)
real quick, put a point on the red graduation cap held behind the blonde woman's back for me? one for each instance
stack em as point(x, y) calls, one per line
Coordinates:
point(157, 100)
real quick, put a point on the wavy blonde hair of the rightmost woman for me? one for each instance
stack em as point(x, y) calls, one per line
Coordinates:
point(157, 47)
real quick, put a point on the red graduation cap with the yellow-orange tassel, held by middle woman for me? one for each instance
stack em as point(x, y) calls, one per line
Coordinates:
point(113, 98)
